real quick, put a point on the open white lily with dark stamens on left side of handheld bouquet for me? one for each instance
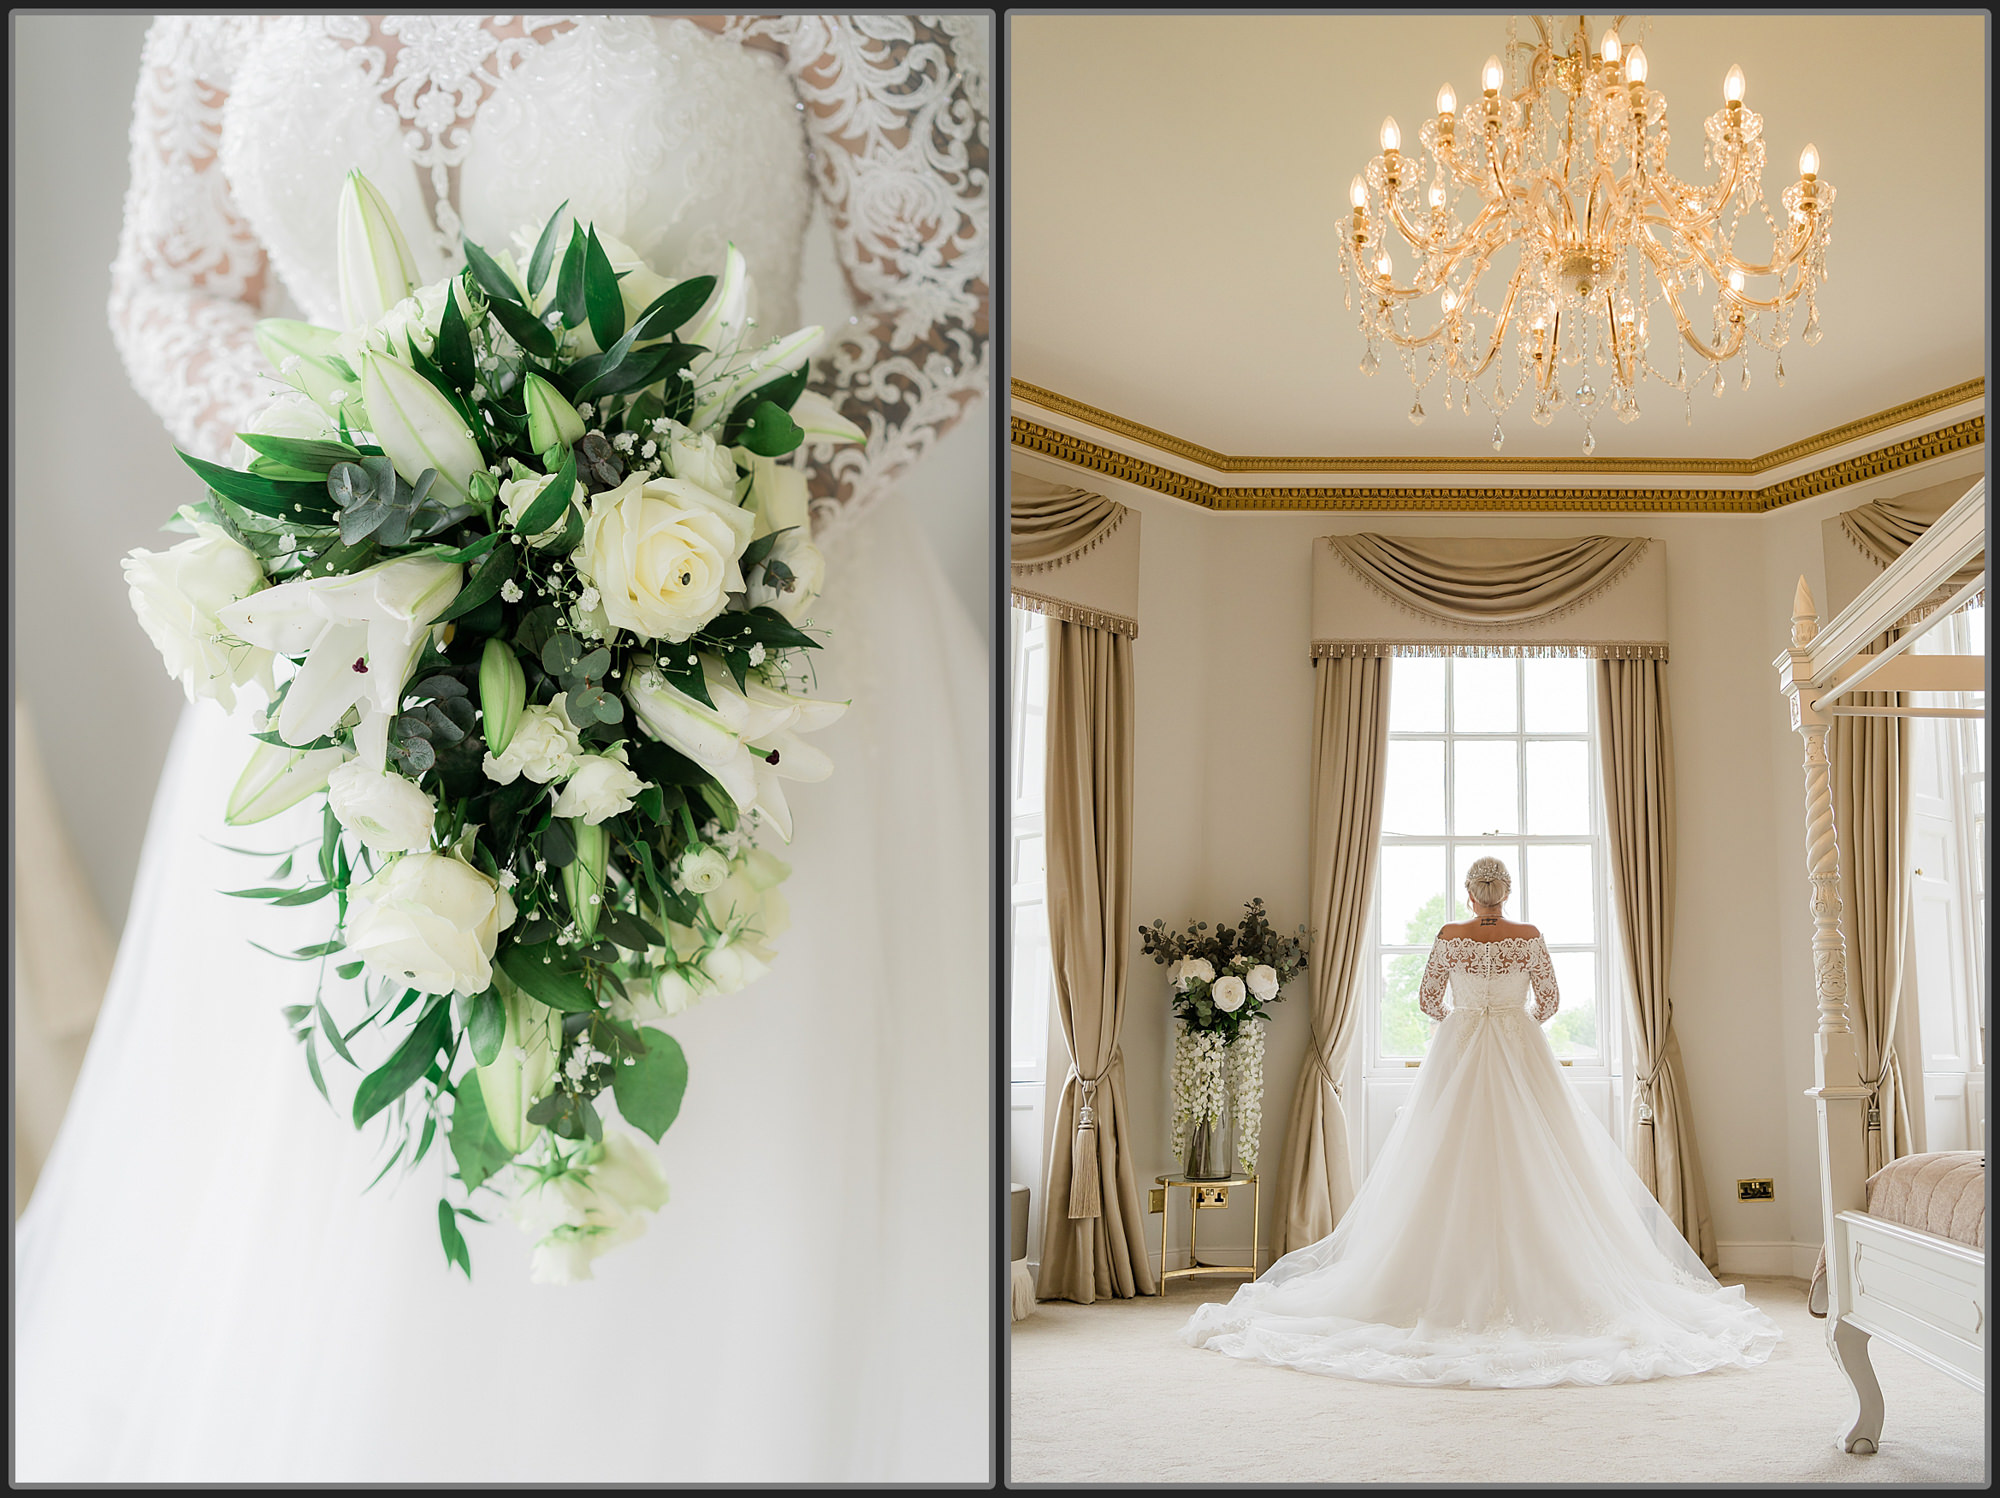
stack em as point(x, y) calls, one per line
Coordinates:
point(361, 637)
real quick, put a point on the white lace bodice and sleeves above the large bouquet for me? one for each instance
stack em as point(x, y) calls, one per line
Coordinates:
point(669, 133)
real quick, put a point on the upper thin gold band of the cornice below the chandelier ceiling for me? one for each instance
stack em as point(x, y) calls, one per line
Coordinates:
point(1223, 463)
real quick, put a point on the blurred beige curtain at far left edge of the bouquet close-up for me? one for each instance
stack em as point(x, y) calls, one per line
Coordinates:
point(63, 959)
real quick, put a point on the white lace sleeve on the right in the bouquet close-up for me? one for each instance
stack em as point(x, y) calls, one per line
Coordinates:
point(897, 111)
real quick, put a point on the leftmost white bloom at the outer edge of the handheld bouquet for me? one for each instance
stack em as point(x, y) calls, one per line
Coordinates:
point(179, 597)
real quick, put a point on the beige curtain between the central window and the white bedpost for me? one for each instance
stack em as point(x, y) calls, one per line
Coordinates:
point(1637, 749)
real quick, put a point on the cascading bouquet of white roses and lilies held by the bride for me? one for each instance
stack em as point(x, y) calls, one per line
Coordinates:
point(539, 583)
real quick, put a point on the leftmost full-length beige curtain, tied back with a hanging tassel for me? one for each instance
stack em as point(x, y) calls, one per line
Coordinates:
point(1093, 1219)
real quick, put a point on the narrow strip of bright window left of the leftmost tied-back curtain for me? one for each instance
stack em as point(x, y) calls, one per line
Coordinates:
point(1027, 859)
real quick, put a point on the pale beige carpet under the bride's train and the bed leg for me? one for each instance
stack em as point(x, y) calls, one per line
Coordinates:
point(1109, 1393)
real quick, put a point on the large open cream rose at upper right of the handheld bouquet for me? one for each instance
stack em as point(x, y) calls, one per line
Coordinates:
point(663, 555)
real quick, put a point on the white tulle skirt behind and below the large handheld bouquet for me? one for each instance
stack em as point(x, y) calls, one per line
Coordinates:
point(207, 1293)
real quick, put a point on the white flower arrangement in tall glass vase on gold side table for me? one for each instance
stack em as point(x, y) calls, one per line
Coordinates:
point(1223, 983)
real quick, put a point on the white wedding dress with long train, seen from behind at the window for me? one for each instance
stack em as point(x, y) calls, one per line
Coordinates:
point(1501, 1239)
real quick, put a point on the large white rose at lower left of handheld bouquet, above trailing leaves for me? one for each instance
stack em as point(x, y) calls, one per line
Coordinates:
point(429, 921)
